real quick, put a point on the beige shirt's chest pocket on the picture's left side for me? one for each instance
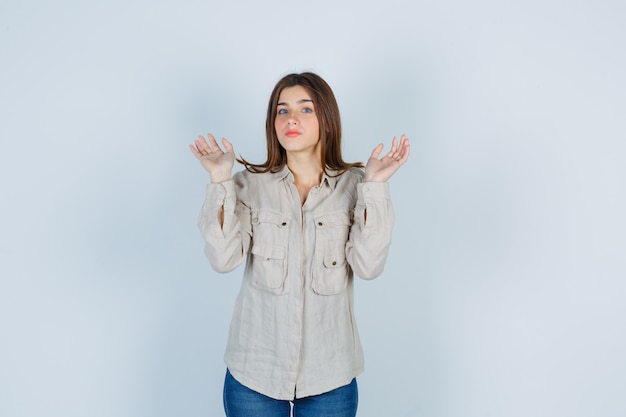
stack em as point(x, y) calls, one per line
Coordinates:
point(267, 263)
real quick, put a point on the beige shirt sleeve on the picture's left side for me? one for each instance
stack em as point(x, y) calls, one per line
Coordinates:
point(226, 245)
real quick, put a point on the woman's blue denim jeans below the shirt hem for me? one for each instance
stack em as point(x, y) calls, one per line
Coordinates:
point(240, 401)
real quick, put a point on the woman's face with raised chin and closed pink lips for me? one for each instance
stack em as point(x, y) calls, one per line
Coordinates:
point(296, 124)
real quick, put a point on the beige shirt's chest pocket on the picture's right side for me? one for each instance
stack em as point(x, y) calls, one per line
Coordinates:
point(330, 268)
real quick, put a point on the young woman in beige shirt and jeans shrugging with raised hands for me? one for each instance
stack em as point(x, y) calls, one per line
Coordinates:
point(304, 221)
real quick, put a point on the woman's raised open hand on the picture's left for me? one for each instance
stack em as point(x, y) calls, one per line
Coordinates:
point(213, 159)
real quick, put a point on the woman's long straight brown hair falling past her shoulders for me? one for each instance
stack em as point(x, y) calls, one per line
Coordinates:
point(328, 117)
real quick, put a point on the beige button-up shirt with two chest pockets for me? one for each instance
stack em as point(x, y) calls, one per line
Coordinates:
point(293, 332)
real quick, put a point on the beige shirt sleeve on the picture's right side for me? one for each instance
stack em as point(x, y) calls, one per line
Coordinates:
point(370, 235)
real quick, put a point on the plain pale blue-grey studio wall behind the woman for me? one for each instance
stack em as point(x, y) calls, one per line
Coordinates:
point(504, 291)
